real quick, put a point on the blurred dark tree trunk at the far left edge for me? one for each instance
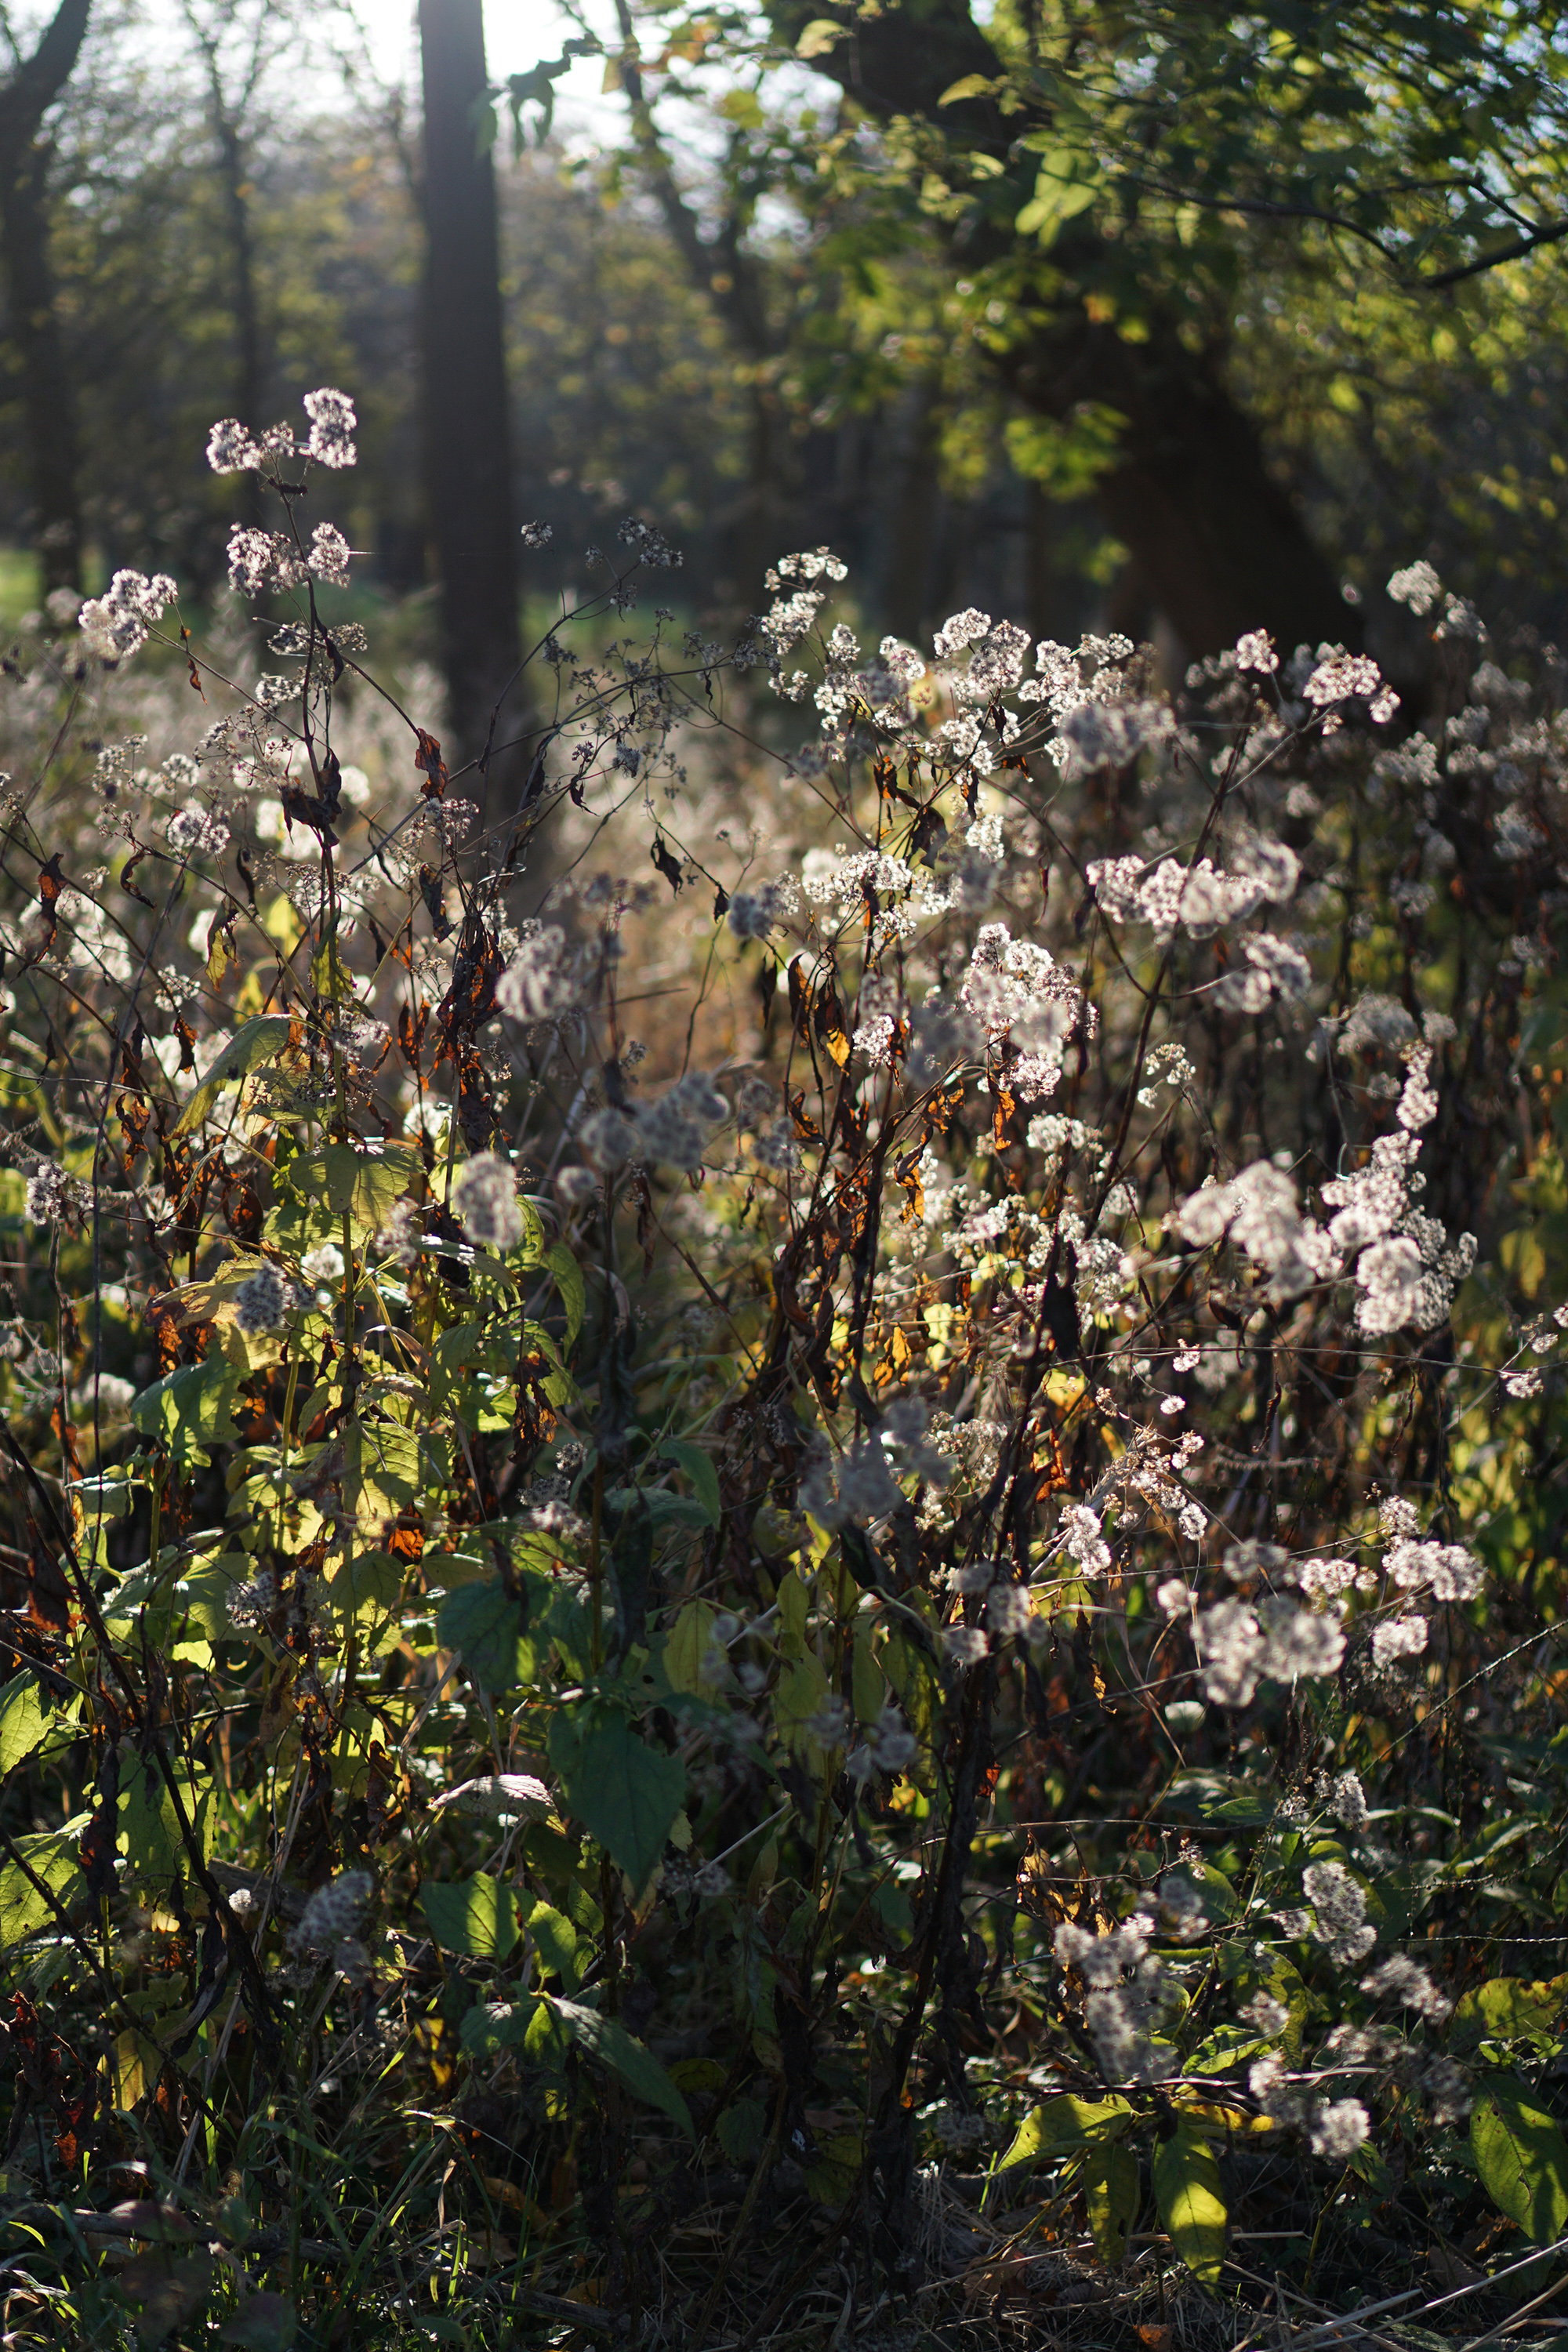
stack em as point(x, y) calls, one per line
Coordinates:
point(48, 396)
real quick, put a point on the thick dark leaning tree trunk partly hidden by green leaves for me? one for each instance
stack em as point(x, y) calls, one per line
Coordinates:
point(1219, 544)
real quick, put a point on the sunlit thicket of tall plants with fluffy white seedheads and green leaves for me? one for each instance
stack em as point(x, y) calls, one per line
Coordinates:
point(960, 1530)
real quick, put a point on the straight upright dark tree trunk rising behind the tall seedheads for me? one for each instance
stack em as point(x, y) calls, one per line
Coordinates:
point(467, 415)
